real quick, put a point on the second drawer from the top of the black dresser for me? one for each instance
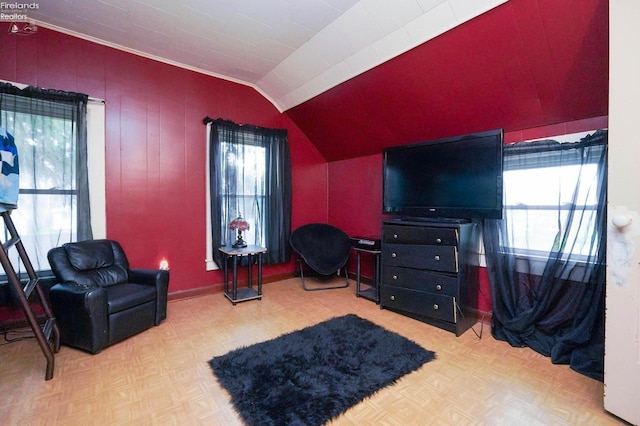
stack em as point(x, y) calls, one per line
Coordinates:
point(435, 258)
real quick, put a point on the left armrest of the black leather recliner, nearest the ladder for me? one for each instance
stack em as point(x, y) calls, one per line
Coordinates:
point(82, 314)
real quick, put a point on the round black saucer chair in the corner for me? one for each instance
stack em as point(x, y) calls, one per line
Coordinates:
point(324, 249)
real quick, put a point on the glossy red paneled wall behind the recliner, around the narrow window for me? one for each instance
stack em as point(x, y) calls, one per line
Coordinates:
point(155, 144)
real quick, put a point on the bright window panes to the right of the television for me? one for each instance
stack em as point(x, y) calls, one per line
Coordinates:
point(541, 189)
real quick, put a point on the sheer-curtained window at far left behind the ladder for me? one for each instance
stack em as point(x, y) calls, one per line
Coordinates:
point(50, 135)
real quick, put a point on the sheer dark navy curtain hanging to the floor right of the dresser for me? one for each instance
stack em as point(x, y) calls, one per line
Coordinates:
point(559, 312)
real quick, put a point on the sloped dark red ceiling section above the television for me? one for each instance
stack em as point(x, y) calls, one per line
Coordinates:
point(524, 64)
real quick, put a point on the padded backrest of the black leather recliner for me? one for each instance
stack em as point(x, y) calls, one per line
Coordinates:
point(91, 262)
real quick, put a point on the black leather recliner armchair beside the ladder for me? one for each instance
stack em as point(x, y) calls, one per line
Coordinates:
point(99, 300)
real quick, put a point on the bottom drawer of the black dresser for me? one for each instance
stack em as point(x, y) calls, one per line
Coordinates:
point(418, 302)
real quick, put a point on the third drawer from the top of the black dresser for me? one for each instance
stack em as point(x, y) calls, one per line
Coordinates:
point(416, 279)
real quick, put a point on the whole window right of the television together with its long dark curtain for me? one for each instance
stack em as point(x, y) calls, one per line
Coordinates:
point(546, 257)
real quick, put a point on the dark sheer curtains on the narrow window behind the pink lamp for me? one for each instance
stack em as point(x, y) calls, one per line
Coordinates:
point(255, 183)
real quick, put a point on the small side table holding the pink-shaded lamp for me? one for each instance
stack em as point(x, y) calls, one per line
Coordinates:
point(234, 294)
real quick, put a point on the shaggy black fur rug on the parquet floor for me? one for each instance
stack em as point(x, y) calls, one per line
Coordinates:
point(312, 375)
